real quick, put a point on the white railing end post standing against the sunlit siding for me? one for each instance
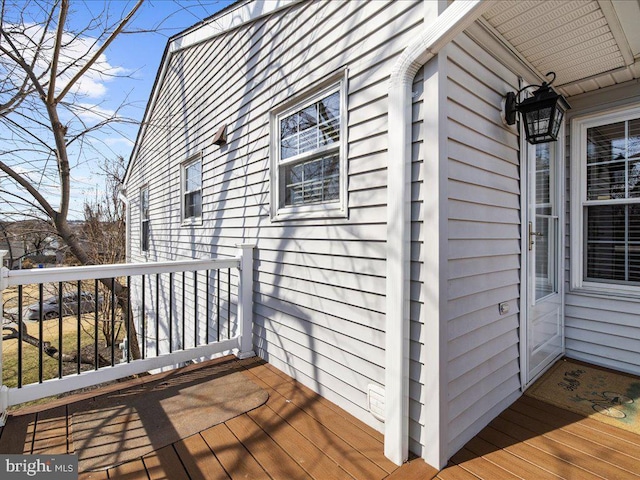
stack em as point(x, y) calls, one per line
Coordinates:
point(245, 300)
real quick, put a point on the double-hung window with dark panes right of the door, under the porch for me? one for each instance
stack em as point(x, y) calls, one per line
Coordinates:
point(607, 157)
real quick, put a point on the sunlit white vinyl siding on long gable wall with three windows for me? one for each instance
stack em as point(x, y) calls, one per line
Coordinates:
point(319, 291)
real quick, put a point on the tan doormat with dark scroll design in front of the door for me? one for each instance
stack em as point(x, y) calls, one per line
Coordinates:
point(600, 394)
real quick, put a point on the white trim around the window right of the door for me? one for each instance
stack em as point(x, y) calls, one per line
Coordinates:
point(579, 127)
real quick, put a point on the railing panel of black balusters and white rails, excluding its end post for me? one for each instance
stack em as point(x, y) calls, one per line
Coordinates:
point(65, 323)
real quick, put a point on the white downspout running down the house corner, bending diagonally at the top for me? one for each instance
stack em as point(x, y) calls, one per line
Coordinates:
point(455, 19)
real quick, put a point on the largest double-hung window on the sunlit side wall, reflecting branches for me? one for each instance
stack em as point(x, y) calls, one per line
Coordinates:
point(308, 167)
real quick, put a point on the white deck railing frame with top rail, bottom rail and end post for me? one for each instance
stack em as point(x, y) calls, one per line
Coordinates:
point(241, 342)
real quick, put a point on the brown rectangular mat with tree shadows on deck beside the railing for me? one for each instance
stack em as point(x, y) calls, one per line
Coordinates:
point(118, 427)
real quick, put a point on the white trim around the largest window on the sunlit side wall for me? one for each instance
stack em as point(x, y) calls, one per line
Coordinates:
point(335, 209)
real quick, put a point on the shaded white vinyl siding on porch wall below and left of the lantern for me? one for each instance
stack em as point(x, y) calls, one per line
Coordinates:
point(483, 242)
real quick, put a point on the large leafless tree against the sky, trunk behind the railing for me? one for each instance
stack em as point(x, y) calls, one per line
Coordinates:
point(46, 123)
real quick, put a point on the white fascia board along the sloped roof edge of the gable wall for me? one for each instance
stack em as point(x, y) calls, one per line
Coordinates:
point(217, 25)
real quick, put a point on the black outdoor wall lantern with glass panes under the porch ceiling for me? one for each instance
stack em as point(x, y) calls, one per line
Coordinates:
point(542, 112)
